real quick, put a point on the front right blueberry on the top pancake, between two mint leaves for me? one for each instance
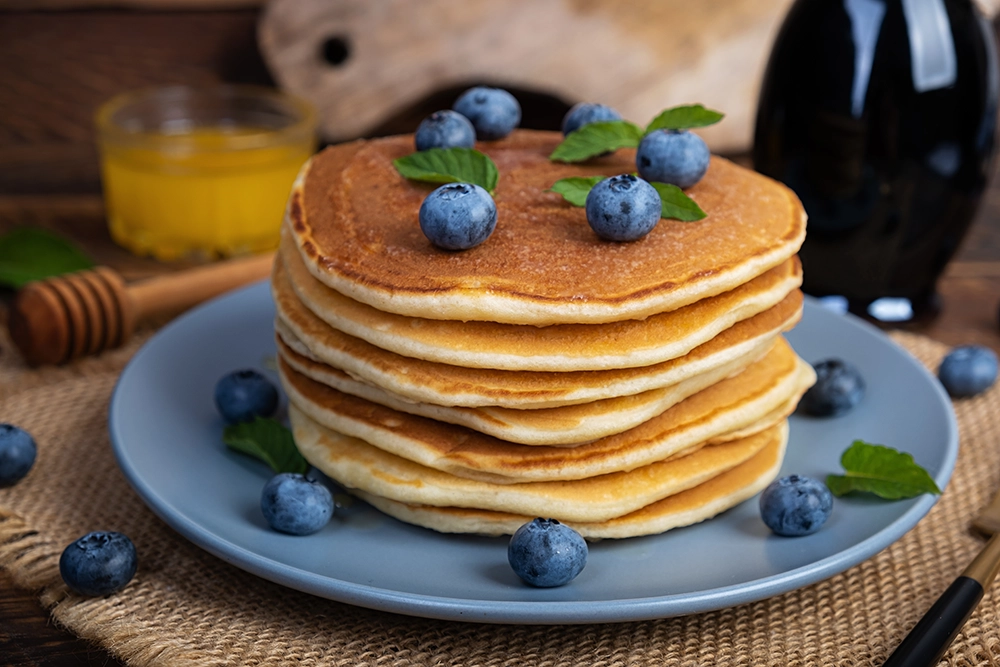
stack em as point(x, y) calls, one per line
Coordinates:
point(623, 208)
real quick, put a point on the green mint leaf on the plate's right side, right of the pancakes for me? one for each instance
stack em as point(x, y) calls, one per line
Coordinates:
point(881, 470)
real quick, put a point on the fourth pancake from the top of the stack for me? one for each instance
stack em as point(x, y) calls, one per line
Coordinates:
point(564, 425)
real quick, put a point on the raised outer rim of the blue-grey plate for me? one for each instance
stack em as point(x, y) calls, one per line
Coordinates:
point(535, 612)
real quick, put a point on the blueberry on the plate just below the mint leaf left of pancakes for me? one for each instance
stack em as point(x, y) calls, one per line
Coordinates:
point(296, 505)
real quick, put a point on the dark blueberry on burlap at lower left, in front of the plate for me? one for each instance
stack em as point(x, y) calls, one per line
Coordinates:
point(98, 563)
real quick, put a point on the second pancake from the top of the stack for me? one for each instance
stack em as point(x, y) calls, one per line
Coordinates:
point(561, 347)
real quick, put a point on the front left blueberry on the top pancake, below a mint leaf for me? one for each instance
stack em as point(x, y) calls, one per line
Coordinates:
point(458, 216)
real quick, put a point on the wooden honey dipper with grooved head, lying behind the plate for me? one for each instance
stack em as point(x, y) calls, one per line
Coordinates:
point(63, 318)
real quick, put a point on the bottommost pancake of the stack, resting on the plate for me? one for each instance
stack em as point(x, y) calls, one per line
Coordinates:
point(701, 502)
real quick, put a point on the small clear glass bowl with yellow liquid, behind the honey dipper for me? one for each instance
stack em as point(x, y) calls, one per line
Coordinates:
point(201, 173)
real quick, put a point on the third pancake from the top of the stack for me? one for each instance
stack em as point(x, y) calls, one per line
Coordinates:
point(444, 384)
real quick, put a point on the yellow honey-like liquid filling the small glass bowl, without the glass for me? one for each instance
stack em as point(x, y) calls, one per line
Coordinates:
point(188, 195)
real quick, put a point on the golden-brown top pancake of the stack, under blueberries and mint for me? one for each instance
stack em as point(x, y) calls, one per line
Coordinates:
point(355, 223)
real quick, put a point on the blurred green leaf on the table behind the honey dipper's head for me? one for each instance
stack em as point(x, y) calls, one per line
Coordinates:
point(29, 253)
